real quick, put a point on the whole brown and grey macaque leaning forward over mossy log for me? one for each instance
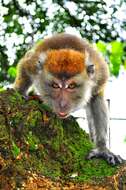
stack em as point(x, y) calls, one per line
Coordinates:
point(68, 73)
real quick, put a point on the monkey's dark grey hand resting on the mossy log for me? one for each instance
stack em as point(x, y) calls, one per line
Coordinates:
point(106, 155)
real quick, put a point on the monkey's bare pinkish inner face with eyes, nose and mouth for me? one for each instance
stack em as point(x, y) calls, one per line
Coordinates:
point(65, 96)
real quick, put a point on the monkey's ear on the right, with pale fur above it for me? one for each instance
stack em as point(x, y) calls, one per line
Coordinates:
point(90, 67)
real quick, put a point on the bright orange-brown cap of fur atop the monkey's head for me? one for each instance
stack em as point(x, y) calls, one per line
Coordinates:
point(66, 61)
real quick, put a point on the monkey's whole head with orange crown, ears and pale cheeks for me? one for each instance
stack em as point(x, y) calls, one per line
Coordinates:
point(64, 80)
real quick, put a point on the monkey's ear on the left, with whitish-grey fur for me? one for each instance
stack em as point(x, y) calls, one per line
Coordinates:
point(41, 61)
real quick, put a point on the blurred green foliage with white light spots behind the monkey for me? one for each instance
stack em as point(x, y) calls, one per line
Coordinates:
point(23, 22)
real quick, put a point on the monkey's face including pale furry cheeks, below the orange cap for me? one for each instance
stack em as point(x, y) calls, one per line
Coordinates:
point(64, 95)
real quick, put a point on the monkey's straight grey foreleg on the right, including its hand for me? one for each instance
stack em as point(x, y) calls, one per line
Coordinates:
point(98, 120)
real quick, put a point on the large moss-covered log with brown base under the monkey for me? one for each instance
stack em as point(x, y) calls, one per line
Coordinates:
point(40, 151)
